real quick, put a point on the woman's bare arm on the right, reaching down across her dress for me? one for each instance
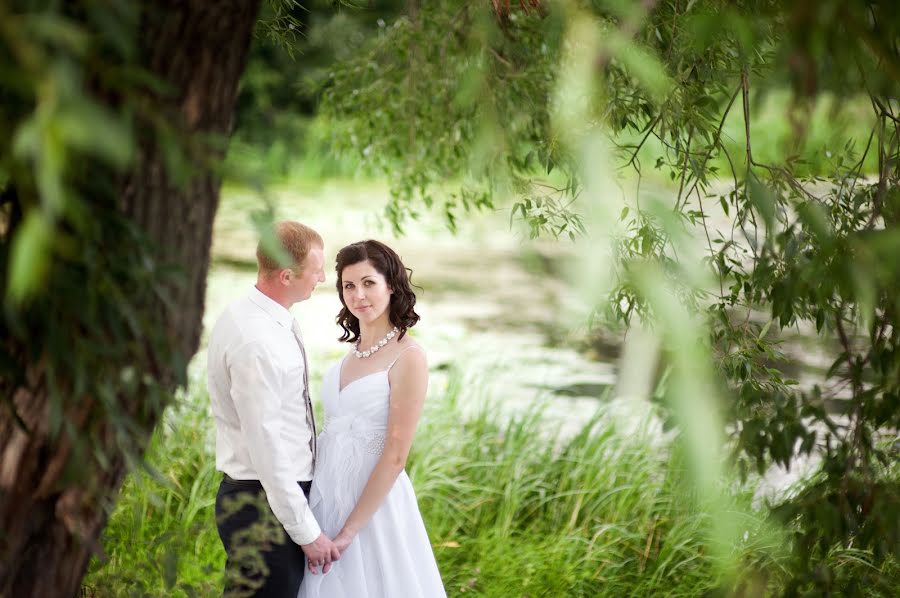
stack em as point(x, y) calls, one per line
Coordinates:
point(409, 382)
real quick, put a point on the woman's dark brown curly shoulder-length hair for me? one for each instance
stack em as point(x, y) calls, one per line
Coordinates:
point(386, 261)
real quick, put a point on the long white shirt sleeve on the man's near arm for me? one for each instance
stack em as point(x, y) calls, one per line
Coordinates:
point(254, 388)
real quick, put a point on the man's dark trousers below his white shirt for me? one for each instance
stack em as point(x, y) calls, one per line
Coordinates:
point(263, 561)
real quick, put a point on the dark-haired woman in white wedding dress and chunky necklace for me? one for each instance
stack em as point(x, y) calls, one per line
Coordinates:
point(373, 397)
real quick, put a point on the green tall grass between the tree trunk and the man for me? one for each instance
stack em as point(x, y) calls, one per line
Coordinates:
point(161, 539)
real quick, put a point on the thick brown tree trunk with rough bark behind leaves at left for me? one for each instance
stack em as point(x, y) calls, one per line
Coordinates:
point(50, 529)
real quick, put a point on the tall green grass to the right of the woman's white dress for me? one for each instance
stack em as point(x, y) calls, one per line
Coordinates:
point(516, 511)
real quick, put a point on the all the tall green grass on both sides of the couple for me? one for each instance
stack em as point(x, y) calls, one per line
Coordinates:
point(512, 509)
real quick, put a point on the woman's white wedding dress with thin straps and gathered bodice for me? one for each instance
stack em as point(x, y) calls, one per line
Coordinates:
point(391, 557)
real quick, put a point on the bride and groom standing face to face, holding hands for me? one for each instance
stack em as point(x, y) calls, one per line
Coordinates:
point(344, 506)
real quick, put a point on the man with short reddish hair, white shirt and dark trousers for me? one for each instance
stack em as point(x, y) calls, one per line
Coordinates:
point(265, 433)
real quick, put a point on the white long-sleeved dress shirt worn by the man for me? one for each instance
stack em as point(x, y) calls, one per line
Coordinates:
point(255, 375)
